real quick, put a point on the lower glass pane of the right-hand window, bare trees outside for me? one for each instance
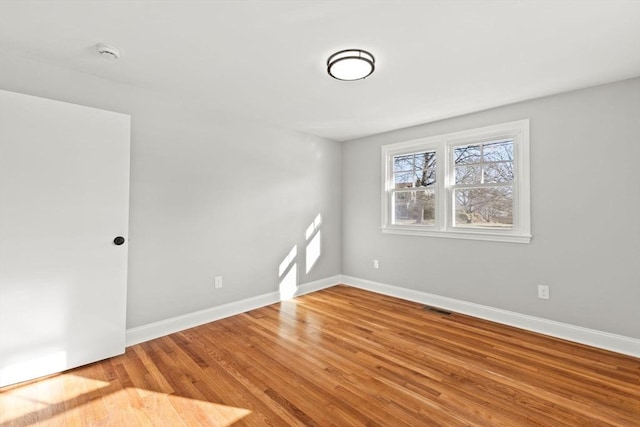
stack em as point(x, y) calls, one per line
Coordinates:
point(484, 207)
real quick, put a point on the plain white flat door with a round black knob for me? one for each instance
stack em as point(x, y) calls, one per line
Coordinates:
point(64, 197)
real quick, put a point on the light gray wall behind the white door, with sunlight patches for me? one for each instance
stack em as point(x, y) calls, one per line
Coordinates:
point(210, 194)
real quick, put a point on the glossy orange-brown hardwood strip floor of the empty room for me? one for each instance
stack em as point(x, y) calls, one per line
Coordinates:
point(340, 357)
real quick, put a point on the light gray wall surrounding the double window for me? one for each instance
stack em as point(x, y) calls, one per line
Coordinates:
point(585, 186)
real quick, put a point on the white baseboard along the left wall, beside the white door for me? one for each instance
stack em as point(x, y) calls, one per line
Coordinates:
point(176, 324)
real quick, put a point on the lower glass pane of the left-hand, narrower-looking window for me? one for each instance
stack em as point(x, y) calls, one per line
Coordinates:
point(414, 207)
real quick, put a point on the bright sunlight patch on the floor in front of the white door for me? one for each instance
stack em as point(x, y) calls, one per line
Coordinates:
point(86, 404)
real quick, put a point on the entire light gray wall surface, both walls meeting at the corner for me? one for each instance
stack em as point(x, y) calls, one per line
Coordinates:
point(218, 195)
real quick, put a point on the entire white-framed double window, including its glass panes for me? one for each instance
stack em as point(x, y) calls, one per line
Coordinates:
point(471, 185)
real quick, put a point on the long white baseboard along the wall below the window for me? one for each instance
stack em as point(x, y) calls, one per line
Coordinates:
point(604, 340)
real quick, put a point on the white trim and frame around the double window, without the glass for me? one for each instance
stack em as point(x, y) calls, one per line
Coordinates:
point(443, 145)
